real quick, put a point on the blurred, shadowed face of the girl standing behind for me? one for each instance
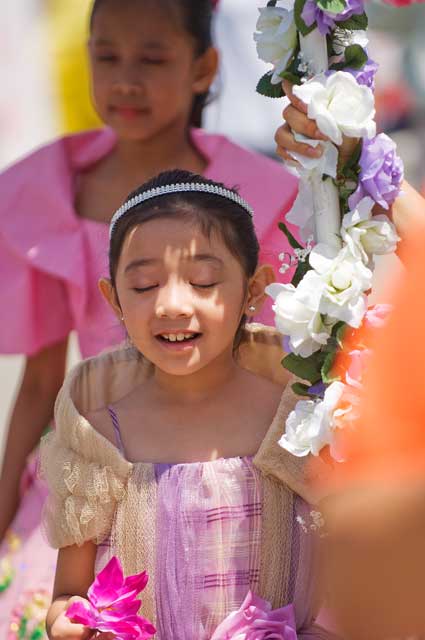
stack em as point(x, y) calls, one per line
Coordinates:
point(145, 73)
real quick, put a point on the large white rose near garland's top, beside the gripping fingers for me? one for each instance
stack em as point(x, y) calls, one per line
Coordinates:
point(339, 105)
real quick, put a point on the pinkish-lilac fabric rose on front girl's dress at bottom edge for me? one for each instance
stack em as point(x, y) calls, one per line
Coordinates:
point(256, 620)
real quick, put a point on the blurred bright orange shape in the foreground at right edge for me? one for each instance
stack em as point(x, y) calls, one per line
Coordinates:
point(389, 444)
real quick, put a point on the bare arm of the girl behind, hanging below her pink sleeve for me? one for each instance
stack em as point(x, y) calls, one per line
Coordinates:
point(32, 412)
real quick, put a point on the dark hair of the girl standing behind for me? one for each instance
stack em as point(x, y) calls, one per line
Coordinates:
point(196, 17)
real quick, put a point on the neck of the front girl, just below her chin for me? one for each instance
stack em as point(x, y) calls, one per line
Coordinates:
point(200, 385)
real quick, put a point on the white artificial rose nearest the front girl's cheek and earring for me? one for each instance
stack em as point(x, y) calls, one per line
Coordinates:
point(305, 328)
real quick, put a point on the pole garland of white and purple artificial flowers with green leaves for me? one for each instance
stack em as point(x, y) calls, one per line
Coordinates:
point(321, 47)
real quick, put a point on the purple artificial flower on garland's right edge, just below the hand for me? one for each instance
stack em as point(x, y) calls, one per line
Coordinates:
point(381, 172)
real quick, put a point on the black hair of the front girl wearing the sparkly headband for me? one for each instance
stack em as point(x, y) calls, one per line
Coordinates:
point(212, 212)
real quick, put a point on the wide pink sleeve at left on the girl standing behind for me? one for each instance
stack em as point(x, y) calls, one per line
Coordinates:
point(37, 243)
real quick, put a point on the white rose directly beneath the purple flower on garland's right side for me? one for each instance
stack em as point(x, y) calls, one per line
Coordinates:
point(368, 234)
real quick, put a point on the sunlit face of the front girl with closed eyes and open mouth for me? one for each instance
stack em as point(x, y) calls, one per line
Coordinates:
point(172, 283)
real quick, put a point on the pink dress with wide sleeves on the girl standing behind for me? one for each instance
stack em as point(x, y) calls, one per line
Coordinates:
point(50, 262)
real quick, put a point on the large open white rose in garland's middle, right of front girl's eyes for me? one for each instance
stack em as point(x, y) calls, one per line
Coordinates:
point(336, 284)
